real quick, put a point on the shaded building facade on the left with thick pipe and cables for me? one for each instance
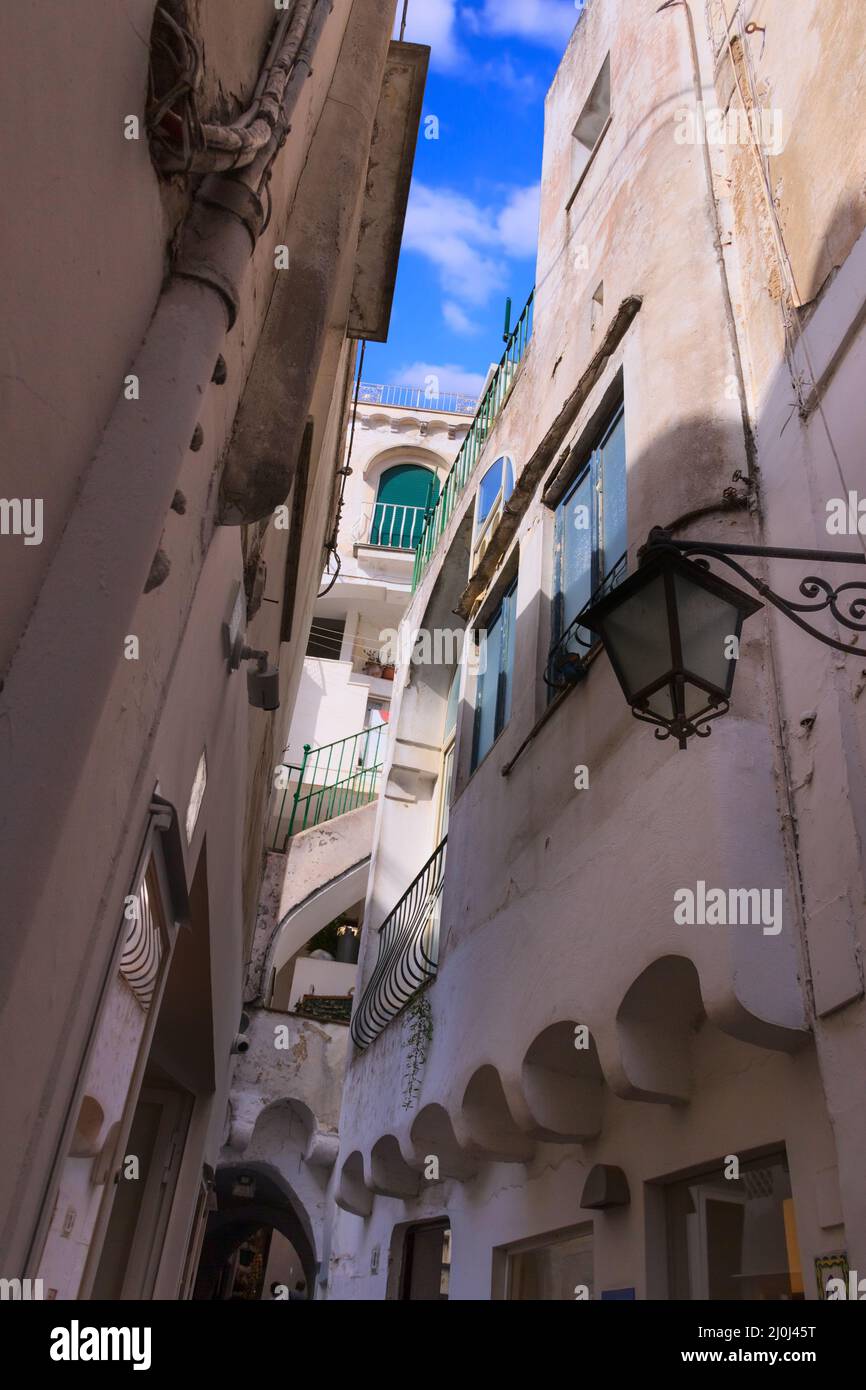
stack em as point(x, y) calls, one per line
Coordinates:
point(209, 209)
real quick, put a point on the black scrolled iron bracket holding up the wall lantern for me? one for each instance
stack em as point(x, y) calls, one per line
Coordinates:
point(847, 603)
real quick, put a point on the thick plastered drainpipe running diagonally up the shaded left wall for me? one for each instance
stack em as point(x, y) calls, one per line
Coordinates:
point(62, 672)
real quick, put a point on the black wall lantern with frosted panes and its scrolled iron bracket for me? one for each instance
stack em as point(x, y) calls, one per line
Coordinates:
point(672, 630)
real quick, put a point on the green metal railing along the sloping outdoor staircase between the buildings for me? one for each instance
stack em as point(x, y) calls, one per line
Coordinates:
point(332, 780)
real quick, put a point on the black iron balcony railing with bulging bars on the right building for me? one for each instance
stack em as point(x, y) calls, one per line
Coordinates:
point(409, 953)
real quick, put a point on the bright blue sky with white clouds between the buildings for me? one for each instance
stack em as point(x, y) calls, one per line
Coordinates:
point(473, 212)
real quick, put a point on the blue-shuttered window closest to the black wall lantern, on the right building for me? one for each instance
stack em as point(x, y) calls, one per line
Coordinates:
point(591, 543)
